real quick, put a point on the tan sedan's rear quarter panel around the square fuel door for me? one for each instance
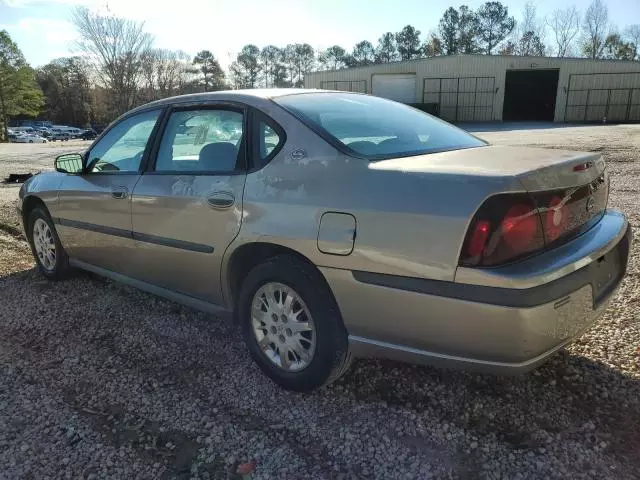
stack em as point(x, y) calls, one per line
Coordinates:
point(409, 224)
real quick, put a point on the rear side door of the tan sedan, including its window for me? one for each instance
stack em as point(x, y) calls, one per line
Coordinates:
point(187, 208)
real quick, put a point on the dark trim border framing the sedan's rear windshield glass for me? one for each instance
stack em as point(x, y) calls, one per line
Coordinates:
point(342, 148)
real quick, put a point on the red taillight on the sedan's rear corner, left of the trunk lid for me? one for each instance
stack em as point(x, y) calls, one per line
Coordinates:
point(506, 227)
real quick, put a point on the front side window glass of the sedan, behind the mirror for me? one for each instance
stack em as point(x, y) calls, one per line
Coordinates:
point(122, 147)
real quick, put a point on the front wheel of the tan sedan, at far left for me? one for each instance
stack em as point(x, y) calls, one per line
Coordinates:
point(51, 259)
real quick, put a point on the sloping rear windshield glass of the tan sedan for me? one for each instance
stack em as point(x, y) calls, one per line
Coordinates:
point(375, 128)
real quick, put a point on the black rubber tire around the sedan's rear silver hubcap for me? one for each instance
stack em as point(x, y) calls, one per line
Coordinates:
point(331, 357)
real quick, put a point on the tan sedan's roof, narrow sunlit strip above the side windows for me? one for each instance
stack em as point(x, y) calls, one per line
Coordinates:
point(246, 95)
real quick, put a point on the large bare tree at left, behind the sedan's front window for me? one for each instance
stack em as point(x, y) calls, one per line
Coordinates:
point(116, 47)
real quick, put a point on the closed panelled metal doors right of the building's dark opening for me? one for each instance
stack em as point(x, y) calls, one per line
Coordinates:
point(596, 96)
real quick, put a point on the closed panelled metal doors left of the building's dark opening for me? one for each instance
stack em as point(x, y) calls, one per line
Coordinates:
point(460, 99)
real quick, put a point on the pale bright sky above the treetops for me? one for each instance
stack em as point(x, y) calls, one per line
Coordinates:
point(43, 31)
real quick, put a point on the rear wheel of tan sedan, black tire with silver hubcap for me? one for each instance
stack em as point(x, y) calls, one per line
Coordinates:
point(291, 324)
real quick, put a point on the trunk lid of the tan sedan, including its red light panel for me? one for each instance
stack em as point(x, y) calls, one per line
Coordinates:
point(568, 189)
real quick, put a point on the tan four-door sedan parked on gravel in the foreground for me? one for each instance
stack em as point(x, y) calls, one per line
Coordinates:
point(339, 225)
